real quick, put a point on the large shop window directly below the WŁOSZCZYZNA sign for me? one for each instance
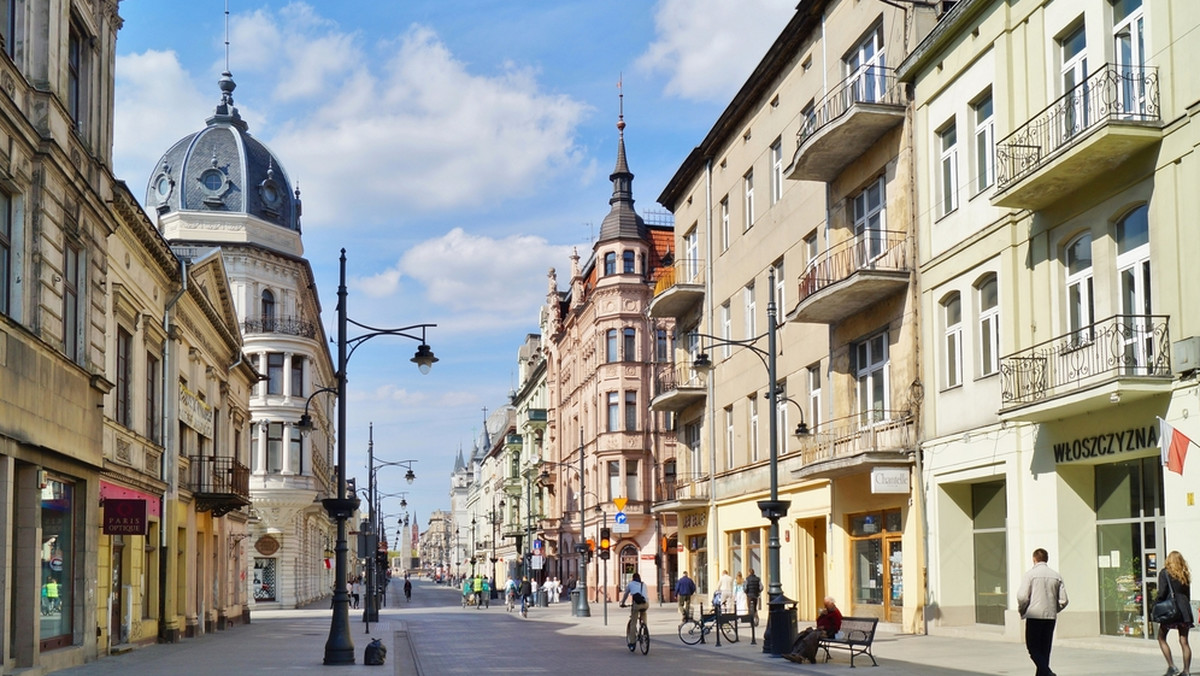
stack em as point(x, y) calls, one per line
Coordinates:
point(1129, 531)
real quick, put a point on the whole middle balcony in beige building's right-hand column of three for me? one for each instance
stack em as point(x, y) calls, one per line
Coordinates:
point(854, 274)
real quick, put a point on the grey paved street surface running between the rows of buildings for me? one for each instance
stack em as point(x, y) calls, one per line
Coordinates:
point(423, 639)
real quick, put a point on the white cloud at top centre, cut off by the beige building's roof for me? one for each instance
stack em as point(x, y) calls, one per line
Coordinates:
point(705, 52)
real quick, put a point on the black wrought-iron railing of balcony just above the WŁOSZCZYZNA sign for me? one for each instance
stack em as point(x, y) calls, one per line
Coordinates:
point(1121, 346)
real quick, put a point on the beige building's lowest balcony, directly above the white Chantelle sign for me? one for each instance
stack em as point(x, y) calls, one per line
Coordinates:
point(847, 446)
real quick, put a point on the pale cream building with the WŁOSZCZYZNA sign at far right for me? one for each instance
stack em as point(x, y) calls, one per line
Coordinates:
point(1058, 194)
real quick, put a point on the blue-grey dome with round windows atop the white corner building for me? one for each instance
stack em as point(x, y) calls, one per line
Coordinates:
point(224, 169)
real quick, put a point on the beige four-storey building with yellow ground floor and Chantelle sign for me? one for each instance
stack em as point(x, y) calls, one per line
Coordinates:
point(800, 202)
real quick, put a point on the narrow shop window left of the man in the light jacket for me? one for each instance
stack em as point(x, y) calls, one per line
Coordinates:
point(989, 509)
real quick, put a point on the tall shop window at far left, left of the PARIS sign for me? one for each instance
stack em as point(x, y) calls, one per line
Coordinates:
point(58, 564)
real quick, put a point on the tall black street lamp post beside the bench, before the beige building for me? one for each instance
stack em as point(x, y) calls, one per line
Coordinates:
point(779, 619)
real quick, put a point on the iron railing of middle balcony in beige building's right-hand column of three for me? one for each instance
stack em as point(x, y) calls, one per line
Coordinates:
point(872, 250)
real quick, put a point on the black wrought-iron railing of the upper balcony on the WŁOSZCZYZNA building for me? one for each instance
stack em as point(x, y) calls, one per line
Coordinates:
point(1113, 93)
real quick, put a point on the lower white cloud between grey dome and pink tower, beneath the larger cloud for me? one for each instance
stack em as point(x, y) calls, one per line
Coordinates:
point(483, 280)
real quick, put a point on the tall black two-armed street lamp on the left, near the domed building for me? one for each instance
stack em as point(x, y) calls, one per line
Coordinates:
point(340, 648)
